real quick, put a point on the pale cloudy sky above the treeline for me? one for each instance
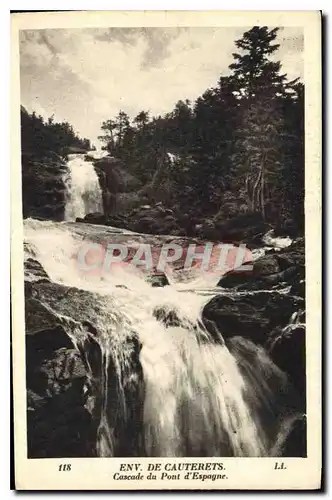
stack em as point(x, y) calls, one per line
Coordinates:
point(86, 76)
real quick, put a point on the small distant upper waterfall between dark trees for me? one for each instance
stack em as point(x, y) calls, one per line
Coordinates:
point(83, 194)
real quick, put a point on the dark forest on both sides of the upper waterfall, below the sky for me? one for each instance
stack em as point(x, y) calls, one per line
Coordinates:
point(238, 149)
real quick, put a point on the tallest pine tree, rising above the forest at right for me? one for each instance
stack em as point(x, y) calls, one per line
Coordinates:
point(260, 87)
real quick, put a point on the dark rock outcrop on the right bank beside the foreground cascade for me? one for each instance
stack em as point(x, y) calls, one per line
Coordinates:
point(267, 307)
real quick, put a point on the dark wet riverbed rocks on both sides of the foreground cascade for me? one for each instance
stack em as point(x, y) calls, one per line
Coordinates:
point(66, 361)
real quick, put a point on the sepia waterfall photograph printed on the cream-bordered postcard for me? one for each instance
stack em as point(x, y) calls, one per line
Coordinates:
point(164, 234)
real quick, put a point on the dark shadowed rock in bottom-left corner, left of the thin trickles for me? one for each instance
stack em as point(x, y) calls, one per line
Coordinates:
point(58, 423)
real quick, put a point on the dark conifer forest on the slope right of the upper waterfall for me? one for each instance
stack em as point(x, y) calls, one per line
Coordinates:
point(239, 147)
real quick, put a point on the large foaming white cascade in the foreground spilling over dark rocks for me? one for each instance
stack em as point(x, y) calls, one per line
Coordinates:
point(200, 398)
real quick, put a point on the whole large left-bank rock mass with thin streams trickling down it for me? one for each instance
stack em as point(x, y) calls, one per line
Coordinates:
point(66, 371)
